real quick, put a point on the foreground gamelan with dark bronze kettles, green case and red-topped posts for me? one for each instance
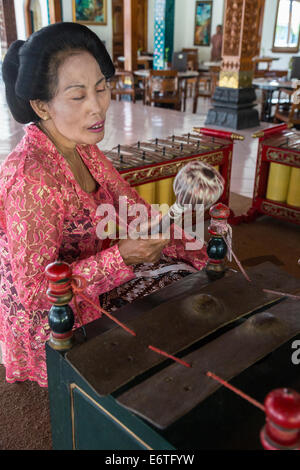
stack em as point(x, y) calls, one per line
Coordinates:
point(205, 363)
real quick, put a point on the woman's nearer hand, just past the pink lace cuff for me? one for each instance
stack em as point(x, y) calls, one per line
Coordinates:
point(141, 251)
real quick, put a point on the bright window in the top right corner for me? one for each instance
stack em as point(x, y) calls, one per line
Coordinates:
point(287, 26)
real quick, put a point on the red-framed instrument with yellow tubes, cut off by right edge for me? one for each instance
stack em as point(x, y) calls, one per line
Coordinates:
point(277, 177)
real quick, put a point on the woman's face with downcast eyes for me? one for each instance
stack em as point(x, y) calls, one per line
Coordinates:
point(77, 111)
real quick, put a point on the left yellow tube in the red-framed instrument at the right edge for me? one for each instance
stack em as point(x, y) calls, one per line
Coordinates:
point(278, 182)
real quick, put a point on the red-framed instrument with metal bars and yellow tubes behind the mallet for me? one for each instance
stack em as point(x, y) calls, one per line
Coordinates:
point(152, 166)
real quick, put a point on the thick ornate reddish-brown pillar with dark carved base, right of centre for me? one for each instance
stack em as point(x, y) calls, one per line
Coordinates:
point(234, 98)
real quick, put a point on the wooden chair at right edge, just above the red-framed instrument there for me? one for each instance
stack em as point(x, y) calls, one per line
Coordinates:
point(288, 106)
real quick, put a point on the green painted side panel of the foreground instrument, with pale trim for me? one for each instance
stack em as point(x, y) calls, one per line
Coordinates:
point(82, 420)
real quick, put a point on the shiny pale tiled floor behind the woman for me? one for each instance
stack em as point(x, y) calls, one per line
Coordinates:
point(127, 123)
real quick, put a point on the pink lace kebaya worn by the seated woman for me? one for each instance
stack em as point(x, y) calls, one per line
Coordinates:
point(46, 216)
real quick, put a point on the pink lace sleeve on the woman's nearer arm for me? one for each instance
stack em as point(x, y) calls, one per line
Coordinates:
point(34, 214)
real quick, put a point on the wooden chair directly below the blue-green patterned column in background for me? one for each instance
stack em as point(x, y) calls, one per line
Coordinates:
point(163, 88)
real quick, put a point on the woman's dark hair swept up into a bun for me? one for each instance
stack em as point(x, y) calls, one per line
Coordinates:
point(30, 67)
